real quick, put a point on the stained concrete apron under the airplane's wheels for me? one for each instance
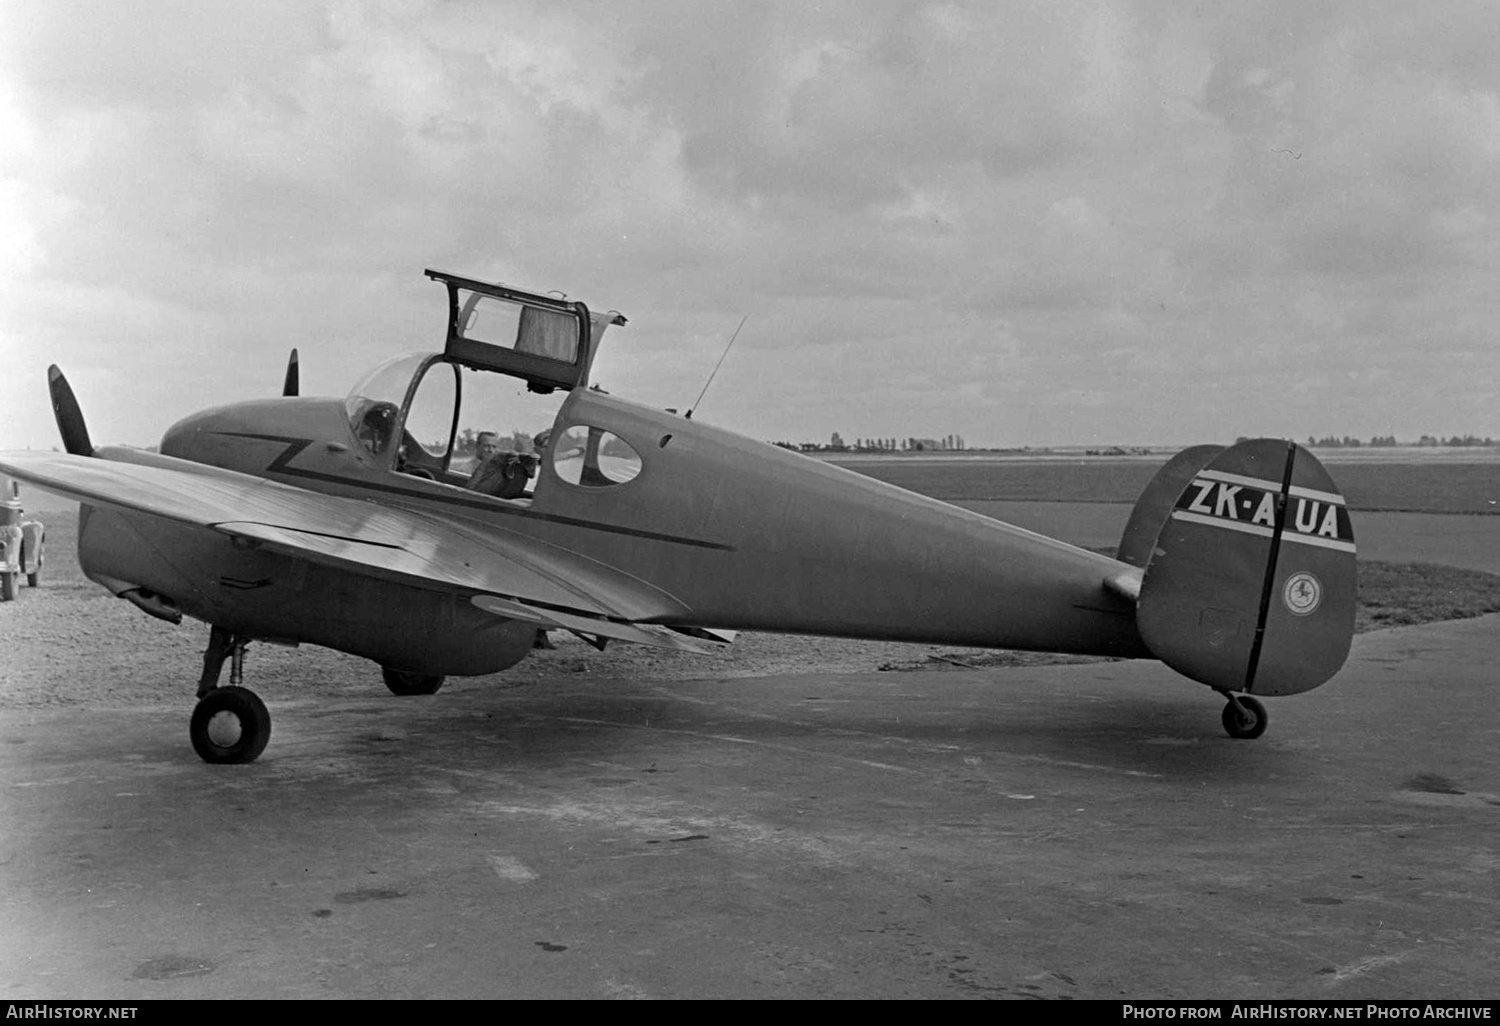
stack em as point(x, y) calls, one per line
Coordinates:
point(1073, 832)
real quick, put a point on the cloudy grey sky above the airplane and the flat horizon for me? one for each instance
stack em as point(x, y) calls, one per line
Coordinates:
point(1054, 223)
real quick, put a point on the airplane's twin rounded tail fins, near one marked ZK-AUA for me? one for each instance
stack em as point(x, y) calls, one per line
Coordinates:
point(1250, 586)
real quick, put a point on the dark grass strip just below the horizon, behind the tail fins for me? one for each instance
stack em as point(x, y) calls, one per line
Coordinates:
point(1373, 487)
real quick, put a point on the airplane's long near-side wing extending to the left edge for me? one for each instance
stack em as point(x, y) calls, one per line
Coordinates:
point(553, 584)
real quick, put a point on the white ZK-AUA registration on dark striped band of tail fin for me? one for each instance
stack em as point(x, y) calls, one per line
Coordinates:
point(1250, 505)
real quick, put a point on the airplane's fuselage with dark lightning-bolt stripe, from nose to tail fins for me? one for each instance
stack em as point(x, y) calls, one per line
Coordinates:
point(745, 535)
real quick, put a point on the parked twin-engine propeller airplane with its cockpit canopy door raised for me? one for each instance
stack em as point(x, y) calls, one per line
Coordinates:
point(349, 523)
